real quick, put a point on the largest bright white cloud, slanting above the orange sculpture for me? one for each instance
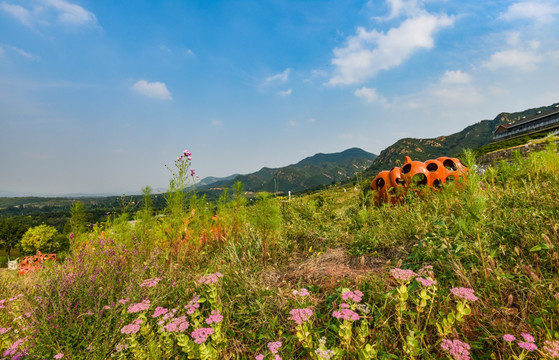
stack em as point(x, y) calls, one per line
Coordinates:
point(369, 52)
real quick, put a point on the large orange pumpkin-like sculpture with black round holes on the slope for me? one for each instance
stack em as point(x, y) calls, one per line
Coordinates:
point(391, 186)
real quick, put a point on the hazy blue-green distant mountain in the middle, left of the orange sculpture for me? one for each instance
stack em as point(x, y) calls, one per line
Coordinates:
point(316, 170)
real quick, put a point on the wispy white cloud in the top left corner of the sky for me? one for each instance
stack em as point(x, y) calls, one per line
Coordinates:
point(49, 11)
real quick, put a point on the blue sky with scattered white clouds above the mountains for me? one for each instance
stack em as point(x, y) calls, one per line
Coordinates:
point(97, 96)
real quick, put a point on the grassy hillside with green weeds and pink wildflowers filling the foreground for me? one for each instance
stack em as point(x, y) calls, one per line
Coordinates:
point(469, 271)
